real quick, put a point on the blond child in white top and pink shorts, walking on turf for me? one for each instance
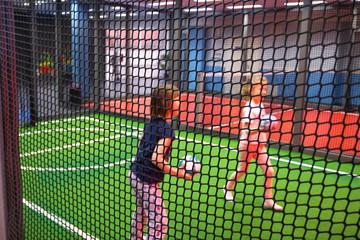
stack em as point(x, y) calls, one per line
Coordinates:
point(252, 141)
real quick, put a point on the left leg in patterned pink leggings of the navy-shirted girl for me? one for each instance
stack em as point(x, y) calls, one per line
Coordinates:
point(141, 194)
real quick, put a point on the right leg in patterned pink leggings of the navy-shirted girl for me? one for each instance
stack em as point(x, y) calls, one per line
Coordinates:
point(158, 219)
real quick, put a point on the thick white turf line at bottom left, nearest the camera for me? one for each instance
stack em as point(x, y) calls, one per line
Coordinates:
point(59, 221)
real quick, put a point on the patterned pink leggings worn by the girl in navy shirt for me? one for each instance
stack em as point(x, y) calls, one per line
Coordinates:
point(149, 208)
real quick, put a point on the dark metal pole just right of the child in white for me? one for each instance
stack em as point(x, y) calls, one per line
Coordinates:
point(304, 41)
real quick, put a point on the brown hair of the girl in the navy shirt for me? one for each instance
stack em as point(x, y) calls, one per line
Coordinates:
point(162, 98)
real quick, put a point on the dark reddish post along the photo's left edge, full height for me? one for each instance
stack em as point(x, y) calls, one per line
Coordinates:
point(9, 126)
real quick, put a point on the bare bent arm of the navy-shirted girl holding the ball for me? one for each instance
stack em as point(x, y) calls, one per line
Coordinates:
point(160, 162)
